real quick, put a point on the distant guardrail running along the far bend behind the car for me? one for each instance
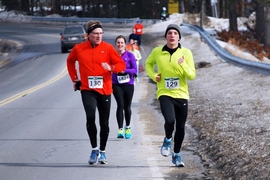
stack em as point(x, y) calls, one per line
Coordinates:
point(122, 21)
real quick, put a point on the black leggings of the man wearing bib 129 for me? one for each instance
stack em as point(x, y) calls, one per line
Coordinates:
point(174, 110)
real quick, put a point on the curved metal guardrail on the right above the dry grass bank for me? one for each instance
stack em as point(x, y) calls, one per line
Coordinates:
point(225, 54)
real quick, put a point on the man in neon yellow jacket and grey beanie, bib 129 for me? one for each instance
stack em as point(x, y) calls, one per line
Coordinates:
point(174, 66)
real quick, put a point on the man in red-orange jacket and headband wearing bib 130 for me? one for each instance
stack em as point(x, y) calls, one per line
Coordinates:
point(96, 61)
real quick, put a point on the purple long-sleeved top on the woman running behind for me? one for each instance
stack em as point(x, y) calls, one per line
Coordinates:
point(131, 68)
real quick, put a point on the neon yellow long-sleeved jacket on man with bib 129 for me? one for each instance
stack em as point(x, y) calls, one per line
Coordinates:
point(173, 76)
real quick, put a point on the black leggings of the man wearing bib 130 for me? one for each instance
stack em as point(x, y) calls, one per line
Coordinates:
point(91, 100)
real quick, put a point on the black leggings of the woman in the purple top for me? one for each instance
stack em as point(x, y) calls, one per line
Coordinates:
point(123, 95)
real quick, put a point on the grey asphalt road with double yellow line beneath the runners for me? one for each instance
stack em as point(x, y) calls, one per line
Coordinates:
point(42, 121)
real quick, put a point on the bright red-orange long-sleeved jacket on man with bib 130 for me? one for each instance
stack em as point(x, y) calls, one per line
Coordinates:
point(89, 62)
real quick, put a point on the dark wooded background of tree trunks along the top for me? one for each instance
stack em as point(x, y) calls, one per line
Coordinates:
point(150, 9)
